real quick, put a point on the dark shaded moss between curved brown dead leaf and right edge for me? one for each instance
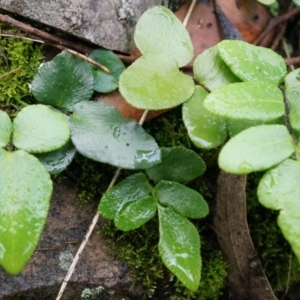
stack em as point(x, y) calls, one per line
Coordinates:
point(279, 263)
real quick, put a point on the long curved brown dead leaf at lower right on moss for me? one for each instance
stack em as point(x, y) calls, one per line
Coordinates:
point(245, 274)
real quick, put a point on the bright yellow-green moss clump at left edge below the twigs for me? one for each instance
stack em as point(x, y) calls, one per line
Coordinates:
point(19, 61)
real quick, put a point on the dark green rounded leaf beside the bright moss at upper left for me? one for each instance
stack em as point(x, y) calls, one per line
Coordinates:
point(63, 81)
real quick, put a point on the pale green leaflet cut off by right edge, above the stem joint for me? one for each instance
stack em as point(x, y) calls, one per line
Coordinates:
point(292, 90)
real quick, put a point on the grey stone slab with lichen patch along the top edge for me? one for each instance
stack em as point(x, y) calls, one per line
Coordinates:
point(109, 24)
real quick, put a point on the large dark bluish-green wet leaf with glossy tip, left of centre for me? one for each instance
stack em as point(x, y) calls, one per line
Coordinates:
point(101, 133)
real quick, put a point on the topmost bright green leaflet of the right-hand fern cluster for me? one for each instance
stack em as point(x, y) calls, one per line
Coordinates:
point(249, 62)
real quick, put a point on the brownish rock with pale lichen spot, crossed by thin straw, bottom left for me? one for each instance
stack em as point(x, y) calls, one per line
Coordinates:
point(65, 228)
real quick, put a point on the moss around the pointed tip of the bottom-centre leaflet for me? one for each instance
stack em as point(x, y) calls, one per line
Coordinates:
point(138, 249)
